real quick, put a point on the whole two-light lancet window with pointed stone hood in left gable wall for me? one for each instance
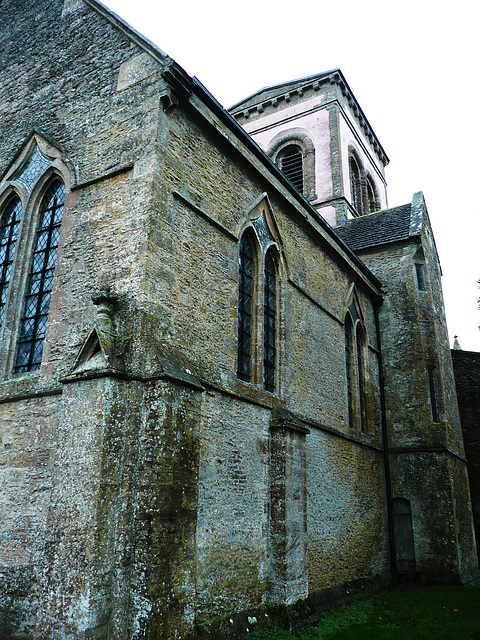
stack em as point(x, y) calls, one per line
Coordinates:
point(30, 221)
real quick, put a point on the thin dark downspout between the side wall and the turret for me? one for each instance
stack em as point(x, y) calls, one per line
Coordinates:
point(377, 303)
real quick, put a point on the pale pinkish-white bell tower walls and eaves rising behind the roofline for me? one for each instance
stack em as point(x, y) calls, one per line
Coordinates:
point(324, 112)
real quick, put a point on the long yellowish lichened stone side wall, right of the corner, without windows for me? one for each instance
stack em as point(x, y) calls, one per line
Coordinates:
point(238, 568)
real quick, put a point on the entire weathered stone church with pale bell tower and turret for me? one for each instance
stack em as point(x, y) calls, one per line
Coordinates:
point(226, 391)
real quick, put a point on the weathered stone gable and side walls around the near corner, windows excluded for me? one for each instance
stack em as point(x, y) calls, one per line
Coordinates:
point(145, 488)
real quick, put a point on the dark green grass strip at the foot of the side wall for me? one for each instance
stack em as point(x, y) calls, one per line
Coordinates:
point(403, 613)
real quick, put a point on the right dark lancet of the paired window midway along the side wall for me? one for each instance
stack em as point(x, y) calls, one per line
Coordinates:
point(269, 328)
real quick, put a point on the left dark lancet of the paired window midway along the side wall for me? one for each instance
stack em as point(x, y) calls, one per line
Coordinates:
point(245, 304)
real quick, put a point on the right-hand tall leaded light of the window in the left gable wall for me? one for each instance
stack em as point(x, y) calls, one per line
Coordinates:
point(40, 279)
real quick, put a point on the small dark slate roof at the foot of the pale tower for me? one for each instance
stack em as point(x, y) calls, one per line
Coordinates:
point(381, 227)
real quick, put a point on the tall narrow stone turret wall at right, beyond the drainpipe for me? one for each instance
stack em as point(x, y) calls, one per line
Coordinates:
point(427, 460)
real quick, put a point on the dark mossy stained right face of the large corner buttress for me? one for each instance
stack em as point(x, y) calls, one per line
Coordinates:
point(169, 511)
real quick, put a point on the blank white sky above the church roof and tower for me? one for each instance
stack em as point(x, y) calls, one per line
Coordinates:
point(412, 66)
